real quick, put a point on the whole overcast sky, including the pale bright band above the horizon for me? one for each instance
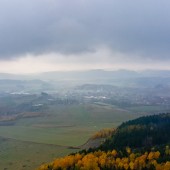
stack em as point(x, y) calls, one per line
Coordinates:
point(48, 35)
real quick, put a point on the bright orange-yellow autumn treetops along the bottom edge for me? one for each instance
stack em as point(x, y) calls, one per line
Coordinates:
point(107, 160)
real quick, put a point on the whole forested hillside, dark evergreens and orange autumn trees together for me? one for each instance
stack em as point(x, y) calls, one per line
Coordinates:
point(140, 144)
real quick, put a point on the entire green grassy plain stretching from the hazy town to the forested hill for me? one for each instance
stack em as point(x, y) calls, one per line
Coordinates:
point(31, 141)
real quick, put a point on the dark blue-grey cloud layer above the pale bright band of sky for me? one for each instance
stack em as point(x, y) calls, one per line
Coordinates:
point(134, 27)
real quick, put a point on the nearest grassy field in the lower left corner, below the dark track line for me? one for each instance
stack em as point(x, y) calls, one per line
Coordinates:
point(19, 155)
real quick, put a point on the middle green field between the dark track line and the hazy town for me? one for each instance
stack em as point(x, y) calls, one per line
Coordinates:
point(63, 123)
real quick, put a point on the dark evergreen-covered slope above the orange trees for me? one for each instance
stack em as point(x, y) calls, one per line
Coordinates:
point(142, 132)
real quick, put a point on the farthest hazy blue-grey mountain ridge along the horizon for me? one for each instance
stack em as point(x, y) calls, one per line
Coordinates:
point(89, 74)
